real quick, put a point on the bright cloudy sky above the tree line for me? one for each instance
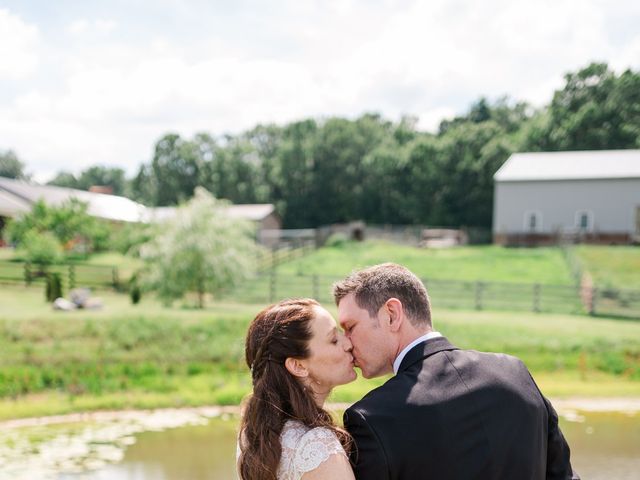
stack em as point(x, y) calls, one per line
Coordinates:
point(87, 83)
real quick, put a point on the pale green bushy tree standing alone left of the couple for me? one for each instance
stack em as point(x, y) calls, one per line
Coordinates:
point(201, 250)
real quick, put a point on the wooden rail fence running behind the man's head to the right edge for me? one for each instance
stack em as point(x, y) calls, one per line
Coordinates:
point(270, 286)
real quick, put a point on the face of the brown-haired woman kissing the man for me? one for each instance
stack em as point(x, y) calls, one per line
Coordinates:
point(330, 362)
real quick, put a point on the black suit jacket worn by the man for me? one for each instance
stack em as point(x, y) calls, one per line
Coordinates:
point(457, 414)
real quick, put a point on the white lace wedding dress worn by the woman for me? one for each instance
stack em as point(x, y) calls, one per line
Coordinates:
point(304, 449)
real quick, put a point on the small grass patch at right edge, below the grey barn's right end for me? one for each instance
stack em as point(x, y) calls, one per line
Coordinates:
point(611, 267)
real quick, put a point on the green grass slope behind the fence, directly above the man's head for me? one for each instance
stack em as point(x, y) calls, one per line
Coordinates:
point(474, 263)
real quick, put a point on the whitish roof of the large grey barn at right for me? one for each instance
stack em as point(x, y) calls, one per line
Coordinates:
point(570, 165)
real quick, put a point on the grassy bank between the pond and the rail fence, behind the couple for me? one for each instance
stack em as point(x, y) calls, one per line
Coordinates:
point(149, 356)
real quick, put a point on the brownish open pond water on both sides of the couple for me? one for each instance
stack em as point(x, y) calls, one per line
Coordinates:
point(604, 446)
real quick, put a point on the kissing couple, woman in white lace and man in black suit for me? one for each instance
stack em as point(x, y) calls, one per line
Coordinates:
point(446, 413)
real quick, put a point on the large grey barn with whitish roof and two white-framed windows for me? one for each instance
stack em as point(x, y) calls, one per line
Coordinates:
point(588, 196)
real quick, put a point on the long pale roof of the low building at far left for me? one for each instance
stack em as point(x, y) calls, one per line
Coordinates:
point(108, 207)
